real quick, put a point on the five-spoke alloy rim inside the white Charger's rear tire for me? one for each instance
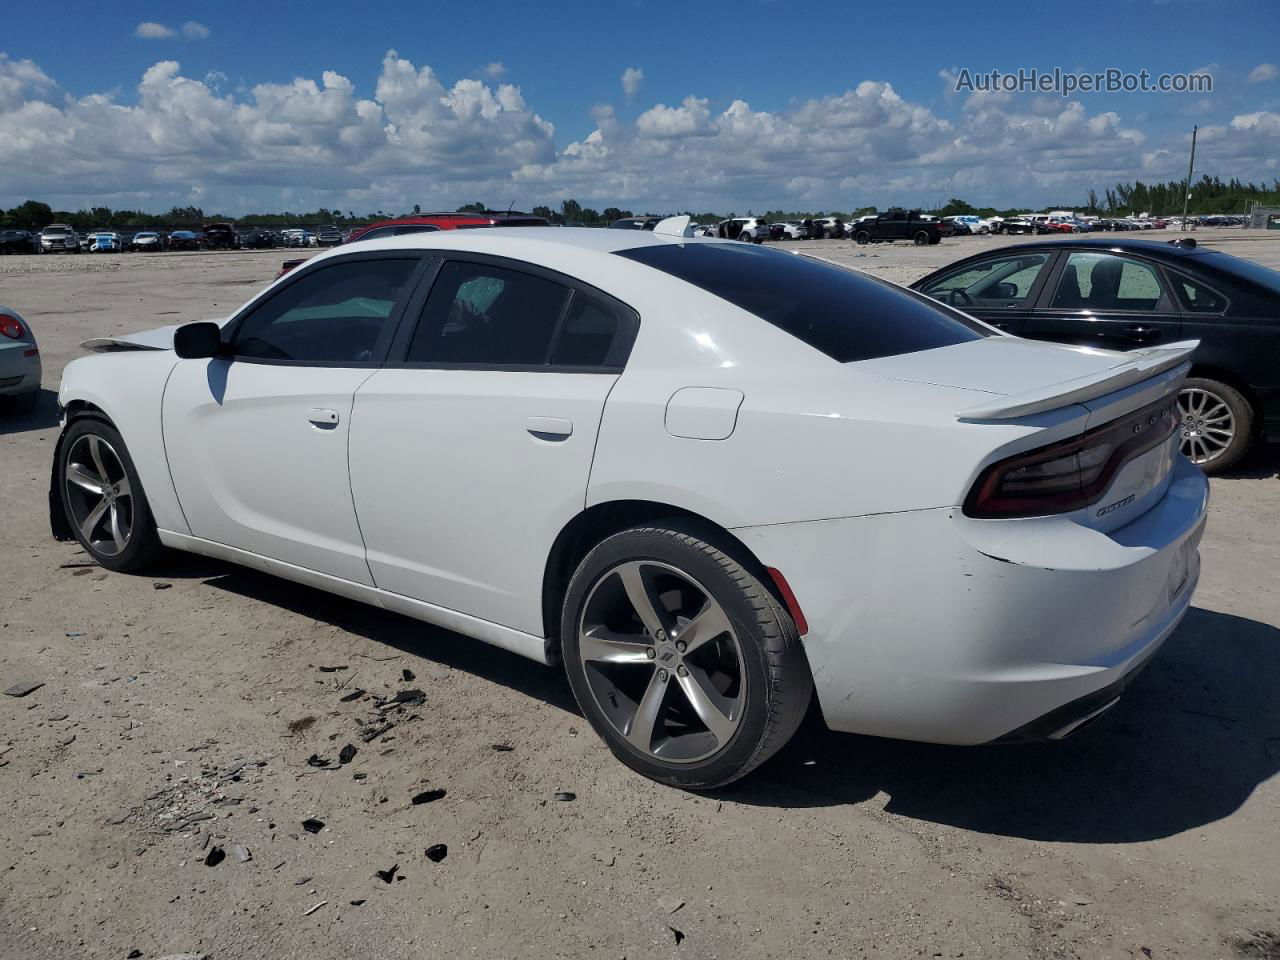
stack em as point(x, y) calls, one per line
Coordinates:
point(662, 661)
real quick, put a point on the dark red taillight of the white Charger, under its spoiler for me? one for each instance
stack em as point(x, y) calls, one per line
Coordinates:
point(1071, 474)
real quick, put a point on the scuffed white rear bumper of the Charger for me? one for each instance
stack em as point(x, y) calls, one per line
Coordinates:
point(922, 630)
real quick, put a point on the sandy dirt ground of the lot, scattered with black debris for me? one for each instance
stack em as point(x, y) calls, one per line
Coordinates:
point(179, 712)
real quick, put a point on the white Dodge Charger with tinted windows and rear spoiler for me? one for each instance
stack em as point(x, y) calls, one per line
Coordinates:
point(712, 479)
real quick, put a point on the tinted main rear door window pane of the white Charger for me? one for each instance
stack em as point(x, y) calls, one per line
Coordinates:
point(488, 316)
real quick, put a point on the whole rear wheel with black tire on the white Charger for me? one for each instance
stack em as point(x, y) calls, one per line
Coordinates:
point(680, 657)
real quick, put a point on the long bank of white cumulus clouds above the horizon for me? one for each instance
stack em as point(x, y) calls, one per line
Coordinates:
point(420, 139)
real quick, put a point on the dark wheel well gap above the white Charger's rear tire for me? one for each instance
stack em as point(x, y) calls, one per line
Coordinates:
point(593, 525)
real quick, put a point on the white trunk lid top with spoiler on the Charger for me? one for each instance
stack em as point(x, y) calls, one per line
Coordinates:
point(1011, 377)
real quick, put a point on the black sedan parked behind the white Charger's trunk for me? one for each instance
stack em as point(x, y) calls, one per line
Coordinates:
point(1127, 294)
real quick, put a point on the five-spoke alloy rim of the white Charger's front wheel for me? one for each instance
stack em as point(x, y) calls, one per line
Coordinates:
point(99, 496)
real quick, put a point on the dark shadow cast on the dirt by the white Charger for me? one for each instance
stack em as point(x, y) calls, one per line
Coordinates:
point(1192, 739)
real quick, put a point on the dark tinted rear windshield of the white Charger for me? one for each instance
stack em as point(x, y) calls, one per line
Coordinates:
point(847, 316)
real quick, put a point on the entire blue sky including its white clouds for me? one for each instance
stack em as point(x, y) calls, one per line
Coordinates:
point(653, 107)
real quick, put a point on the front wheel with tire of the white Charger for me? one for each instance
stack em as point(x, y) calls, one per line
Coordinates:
point(103, 497)
